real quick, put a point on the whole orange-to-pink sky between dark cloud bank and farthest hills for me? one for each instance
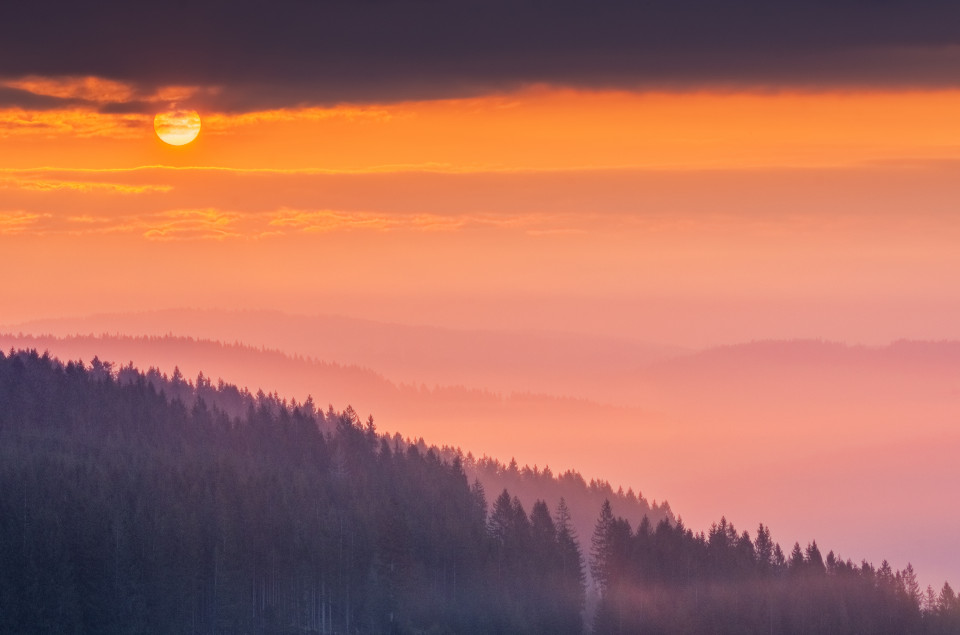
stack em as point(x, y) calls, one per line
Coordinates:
point(687, 218)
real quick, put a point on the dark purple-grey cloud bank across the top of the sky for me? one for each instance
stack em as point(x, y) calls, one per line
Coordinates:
point(269, 54)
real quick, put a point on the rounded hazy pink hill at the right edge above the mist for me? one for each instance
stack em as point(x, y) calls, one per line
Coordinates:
point(812, 378)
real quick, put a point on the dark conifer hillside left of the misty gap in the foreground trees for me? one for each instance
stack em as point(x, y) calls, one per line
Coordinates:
point(122, 511)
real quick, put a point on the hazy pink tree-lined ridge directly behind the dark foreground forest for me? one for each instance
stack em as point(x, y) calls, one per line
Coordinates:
point(493, 424)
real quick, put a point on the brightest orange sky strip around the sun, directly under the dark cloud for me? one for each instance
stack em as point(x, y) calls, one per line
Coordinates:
point(535, 129)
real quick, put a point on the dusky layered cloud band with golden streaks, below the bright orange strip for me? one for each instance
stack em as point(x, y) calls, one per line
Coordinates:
point(720, 211)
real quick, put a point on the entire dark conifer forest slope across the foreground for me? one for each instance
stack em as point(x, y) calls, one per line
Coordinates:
point(124, 508)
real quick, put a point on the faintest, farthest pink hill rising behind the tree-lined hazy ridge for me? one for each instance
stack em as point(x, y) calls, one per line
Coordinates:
point(500, 361)
